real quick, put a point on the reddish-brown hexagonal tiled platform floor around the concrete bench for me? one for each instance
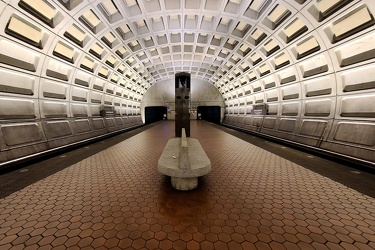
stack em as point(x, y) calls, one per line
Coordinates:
point(252, 199)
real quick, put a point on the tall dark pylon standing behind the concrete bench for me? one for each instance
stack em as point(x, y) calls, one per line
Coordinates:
point(182, 103)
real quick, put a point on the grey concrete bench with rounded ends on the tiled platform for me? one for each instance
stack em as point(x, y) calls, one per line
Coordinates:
point(184, 160)
